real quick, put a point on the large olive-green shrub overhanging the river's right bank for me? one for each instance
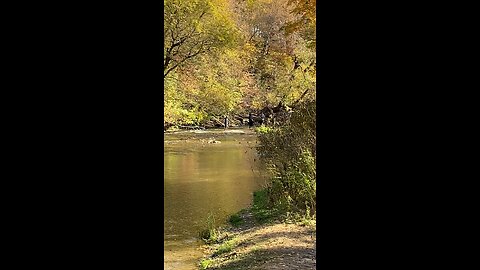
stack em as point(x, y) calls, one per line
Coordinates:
point(289, 151)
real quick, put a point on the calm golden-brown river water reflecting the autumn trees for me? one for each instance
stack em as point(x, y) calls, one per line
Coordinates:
point(200, 178)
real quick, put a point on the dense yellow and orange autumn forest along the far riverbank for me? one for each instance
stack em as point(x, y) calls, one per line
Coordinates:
point(235, 57)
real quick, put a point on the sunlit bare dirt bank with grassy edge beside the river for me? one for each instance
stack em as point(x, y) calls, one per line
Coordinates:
point(272, 246)
